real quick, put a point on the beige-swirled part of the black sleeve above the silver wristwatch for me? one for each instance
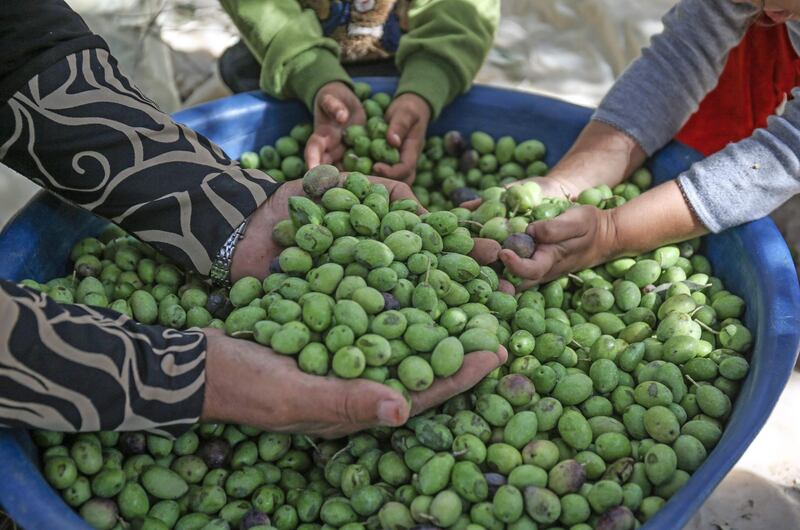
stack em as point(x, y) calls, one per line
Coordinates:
point(82, 130)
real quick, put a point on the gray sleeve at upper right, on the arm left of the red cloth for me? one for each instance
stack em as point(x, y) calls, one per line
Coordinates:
point(656, 95)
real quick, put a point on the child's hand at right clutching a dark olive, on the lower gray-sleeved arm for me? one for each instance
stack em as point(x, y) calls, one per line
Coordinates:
point(581, 237)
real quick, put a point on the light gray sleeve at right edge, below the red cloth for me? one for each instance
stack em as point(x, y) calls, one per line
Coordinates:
point(748, 179)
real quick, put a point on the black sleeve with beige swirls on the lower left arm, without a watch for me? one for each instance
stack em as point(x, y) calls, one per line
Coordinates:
point(75, 368)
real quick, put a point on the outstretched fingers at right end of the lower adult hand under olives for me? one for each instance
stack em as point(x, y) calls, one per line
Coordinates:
point(476, 366)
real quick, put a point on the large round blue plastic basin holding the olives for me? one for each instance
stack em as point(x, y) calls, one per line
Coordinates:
point(752, 260)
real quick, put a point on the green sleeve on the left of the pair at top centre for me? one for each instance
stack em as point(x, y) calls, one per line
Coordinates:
point(296, 59)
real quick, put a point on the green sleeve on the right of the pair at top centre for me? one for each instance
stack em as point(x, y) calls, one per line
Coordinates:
point(446, 44)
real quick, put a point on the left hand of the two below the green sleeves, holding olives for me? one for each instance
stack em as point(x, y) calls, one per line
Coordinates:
point(336, 107)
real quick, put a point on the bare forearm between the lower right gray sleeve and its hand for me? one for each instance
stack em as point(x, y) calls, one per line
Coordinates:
point(659, 217)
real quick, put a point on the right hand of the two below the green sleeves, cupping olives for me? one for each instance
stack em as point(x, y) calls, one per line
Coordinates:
point(408, 118)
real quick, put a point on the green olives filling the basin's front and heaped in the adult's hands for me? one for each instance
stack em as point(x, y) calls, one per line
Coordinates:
point(619, 381)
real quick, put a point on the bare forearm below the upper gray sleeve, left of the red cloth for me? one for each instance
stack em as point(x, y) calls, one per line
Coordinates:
point(600, 155)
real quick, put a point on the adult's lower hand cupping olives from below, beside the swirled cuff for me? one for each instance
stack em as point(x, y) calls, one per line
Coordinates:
point(249, 384)
